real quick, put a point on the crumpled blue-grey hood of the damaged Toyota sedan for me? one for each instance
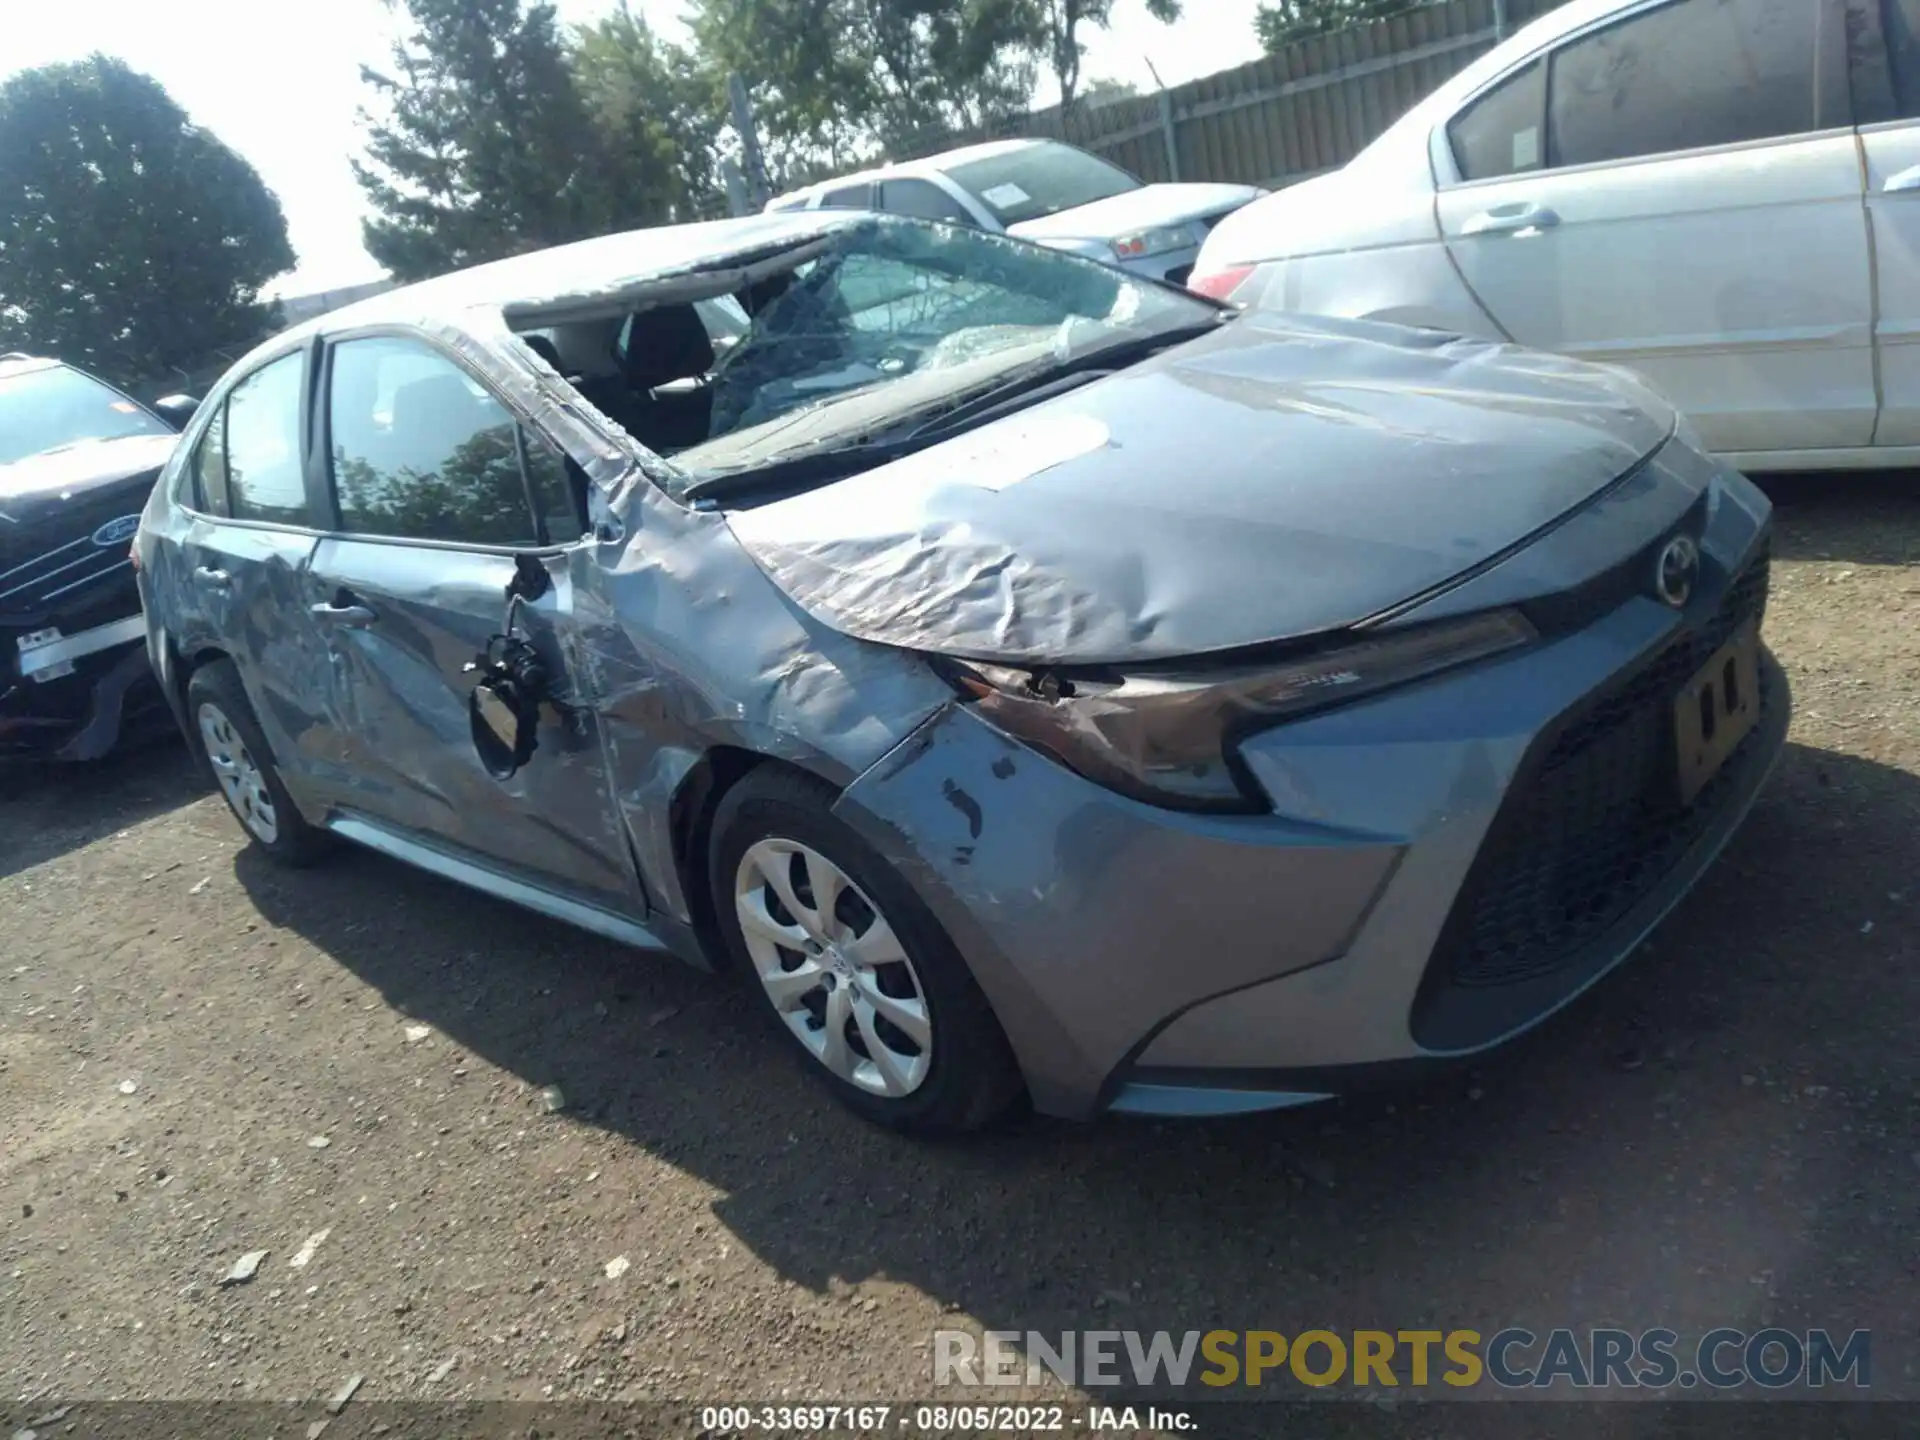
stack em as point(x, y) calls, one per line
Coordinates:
point(1274, 481)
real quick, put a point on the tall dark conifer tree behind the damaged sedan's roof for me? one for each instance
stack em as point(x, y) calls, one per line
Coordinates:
point(479, 141)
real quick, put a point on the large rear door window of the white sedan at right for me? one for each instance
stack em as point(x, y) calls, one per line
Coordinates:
point(1687, 76)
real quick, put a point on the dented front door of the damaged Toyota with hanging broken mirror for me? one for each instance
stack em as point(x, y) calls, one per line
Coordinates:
point(437, 489)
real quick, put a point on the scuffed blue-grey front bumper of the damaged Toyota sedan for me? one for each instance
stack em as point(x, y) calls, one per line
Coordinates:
point(1170, 963)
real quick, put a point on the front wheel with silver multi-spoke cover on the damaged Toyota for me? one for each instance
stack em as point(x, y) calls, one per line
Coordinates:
point(852, 965)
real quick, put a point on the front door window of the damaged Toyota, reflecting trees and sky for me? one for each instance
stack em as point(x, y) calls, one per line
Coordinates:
point(421, 450)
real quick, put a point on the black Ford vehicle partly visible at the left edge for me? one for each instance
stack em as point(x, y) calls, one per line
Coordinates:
point(78, 462)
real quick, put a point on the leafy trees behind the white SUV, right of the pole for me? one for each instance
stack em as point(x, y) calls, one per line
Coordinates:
point(840, 82)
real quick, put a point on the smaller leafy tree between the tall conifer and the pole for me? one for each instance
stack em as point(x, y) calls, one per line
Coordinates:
point(658, 116)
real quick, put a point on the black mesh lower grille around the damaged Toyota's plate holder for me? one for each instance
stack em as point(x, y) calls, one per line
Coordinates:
point(1598, 823)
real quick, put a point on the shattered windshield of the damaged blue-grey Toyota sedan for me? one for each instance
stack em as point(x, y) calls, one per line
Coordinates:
point(896, 324)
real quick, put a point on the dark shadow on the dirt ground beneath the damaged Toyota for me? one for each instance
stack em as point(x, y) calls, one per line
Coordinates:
point(1731, 1101)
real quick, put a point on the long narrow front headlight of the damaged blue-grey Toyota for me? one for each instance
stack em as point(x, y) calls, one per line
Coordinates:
point(1164, 738)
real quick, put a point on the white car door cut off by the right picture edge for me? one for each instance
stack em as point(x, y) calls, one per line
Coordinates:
point(1888, 95)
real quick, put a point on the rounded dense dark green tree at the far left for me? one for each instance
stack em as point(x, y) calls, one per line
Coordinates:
point(132, 241)
